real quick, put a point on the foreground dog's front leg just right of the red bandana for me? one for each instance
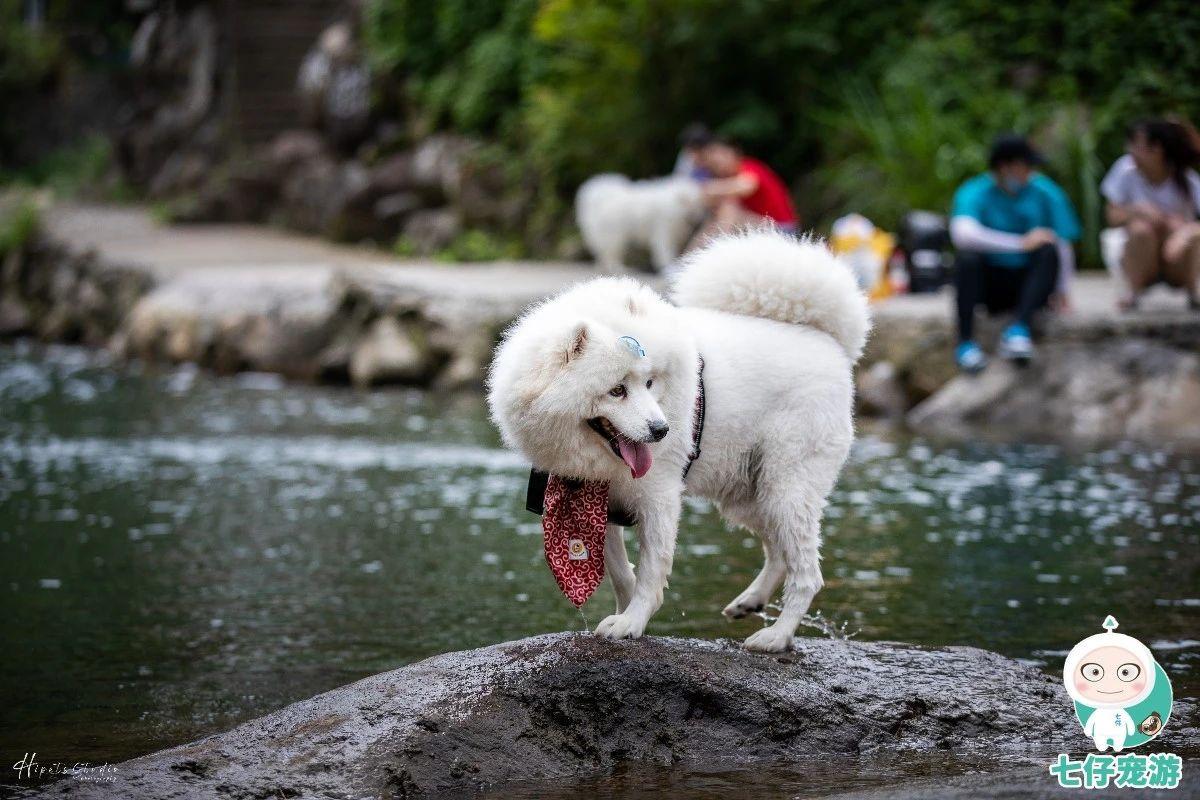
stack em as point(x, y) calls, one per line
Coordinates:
point(657, 534)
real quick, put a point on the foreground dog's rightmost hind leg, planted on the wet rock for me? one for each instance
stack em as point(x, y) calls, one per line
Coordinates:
point(795, 531)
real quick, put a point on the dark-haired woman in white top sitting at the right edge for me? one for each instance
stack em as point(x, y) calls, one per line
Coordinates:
point(1154, 196)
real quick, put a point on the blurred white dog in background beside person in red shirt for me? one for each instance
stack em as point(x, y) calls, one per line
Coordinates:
point(616, 214)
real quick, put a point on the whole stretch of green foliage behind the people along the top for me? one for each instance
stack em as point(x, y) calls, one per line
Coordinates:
point(871, 107)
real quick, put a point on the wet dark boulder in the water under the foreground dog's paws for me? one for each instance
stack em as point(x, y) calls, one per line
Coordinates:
point(572, 706)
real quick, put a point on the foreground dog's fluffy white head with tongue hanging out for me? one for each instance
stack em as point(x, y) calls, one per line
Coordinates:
point(593, 383)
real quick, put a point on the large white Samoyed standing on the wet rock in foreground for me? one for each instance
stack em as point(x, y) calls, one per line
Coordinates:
point(777, 326)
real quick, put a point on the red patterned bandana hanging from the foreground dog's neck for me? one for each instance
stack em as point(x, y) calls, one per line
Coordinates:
point(574, 527)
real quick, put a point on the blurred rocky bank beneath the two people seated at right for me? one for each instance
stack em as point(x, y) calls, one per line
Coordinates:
point(1100, 375)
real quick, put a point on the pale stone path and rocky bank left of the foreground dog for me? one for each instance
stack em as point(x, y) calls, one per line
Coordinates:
point(238, 298)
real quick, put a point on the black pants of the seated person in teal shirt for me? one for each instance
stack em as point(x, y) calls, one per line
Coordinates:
point(1023, 290)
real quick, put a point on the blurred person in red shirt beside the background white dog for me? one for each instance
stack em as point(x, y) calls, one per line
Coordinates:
point(743, 193)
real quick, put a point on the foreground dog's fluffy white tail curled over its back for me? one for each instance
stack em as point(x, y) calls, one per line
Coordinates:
point(776, 276)
